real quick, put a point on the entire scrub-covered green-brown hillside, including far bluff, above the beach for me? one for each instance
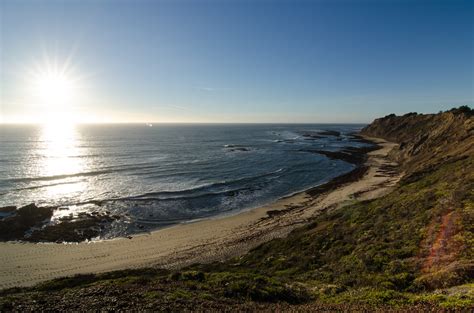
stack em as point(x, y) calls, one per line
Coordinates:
point(413, 247)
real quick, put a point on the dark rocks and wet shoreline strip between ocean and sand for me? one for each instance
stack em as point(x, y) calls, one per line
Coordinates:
point(18, 222)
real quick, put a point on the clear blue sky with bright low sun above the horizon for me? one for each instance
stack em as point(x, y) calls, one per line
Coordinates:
point(233, 61)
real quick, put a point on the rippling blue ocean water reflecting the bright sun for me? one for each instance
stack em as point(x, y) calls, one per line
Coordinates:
point(157, 175)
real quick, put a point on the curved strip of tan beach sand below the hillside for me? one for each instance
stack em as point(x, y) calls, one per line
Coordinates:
point(25, 264)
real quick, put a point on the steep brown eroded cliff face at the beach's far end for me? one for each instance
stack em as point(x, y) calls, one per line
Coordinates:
point(427, 140)
